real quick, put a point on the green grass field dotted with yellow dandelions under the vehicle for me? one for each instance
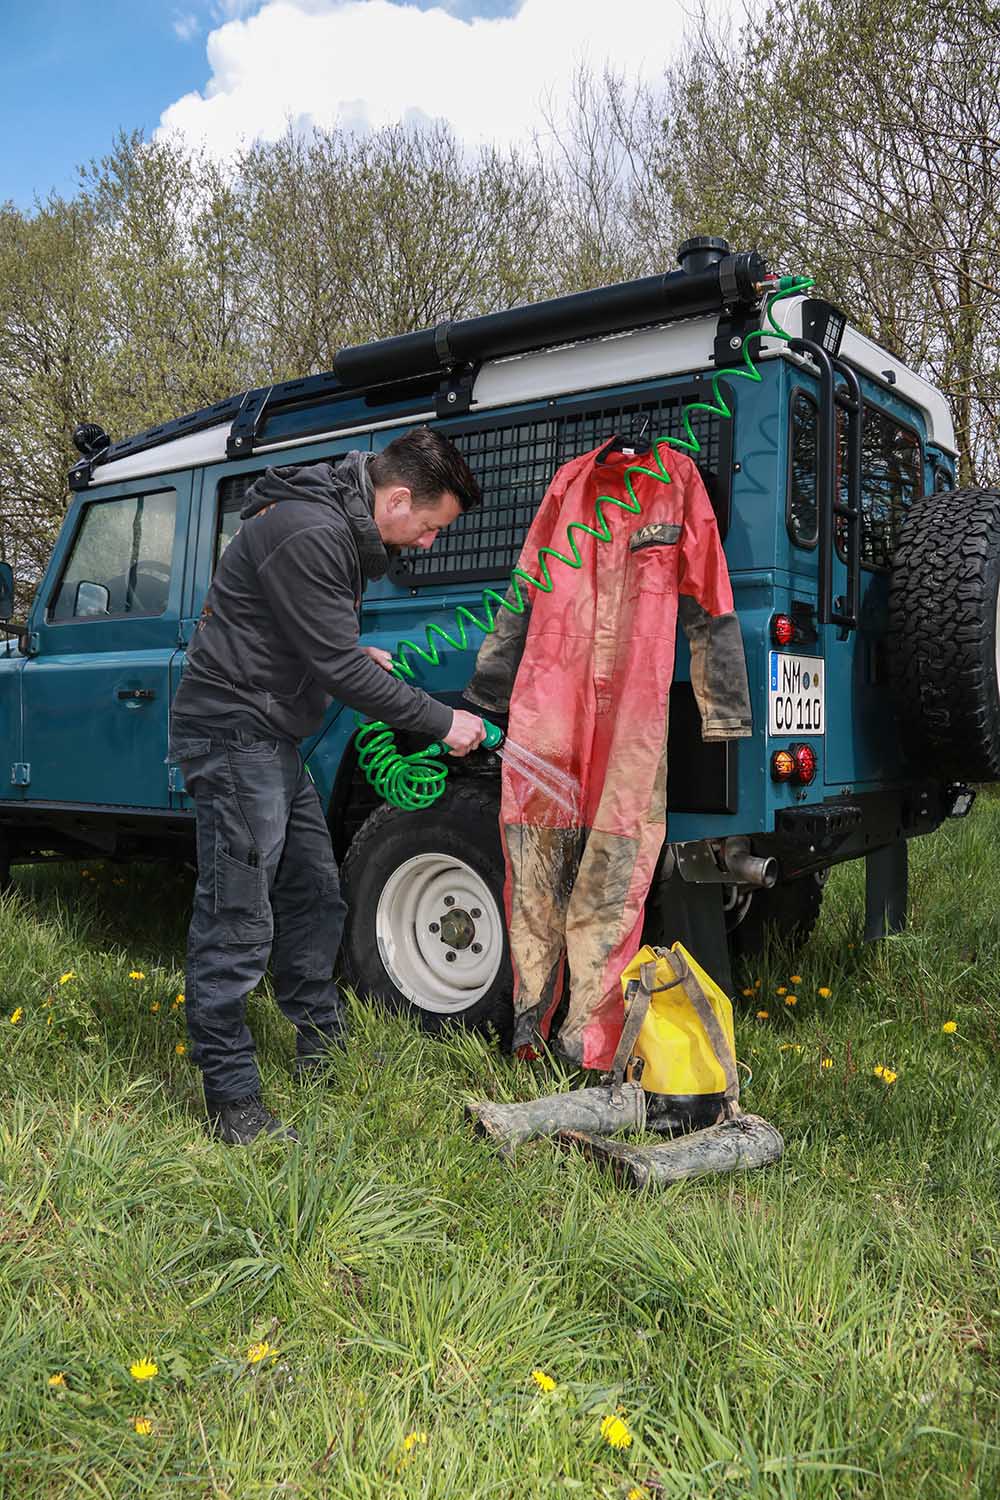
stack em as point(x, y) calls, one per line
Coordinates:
point(824, 1328)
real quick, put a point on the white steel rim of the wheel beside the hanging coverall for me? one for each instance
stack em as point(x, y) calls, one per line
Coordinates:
point(431, 907)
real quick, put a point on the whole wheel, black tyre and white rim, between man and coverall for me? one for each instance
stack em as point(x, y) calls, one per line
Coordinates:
point(425, 929)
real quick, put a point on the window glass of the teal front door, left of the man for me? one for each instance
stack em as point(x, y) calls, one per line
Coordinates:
point(121, 563)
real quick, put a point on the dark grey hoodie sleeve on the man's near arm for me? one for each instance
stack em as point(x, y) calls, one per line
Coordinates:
point(310, 590)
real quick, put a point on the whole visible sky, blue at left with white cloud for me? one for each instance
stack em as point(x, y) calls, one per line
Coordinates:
point(224, 71)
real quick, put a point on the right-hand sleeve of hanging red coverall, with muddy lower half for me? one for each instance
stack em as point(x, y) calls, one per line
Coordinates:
point(705, 608)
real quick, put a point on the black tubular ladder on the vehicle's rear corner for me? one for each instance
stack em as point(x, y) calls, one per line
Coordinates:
point(828, 503)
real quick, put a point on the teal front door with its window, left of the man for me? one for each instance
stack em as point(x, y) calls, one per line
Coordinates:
point(103, 634)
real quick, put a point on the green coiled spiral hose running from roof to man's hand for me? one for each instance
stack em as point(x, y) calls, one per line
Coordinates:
point(416, 781)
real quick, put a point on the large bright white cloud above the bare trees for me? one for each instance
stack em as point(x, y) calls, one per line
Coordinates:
point(367, 64)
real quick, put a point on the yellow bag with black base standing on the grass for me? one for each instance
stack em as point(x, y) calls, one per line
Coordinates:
point(678, 1034)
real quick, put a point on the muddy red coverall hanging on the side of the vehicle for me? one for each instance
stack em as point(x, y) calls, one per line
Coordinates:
point(594, 664)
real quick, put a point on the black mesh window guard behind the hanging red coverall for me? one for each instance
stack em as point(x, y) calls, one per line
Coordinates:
point(516, 458)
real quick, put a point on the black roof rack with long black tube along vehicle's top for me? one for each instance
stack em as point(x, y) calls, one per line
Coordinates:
point(443, 362)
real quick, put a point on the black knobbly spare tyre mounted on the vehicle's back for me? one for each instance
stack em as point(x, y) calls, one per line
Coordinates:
point(944, 635)
